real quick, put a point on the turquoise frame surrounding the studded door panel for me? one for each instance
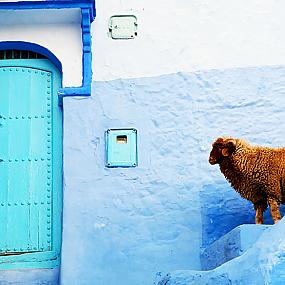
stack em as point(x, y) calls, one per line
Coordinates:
point(46, 259)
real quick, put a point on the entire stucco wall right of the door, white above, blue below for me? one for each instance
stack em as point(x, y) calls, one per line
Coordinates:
point(197, 70)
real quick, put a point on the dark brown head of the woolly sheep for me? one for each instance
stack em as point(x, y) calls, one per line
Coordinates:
point(222, 148)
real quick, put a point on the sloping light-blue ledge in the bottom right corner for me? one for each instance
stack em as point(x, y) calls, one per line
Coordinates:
point(262, 264)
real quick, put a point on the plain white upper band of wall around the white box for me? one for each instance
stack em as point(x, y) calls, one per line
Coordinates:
point(186, 35)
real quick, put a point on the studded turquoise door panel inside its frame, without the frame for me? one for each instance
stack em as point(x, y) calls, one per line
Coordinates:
point(25, 160)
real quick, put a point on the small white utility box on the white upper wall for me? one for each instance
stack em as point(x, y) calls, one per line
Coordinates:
point(123, 27)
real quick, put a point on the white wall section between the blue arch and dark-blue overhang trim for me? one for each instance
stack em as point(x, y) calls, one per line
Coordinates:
point(57, 30)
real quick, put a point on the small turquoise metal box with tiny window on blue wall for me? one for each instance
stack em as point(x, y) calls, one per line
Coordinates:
point(121, 148)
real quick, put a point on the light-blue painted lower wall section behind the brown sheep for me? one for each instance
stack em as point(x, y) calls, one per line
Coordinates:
point(134, 225)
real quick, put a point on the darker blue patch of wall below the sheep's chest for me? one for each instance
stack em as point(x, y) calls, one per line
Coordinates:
point(222, 209)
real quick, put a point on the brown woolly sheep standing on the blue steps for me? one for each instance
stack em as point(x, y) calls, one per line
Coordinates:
point(256, 173)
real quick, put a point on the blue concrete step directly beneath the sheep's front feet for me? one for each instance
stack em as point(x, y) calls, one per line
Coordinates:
point(231, 245)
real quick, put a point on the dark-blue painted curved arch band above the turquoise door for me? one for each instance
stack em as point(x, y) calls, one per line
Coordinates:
point(32, 47)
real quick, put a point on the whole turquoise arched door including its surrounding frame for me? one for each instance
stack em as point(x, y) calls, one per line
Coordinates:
point(30, 163)
